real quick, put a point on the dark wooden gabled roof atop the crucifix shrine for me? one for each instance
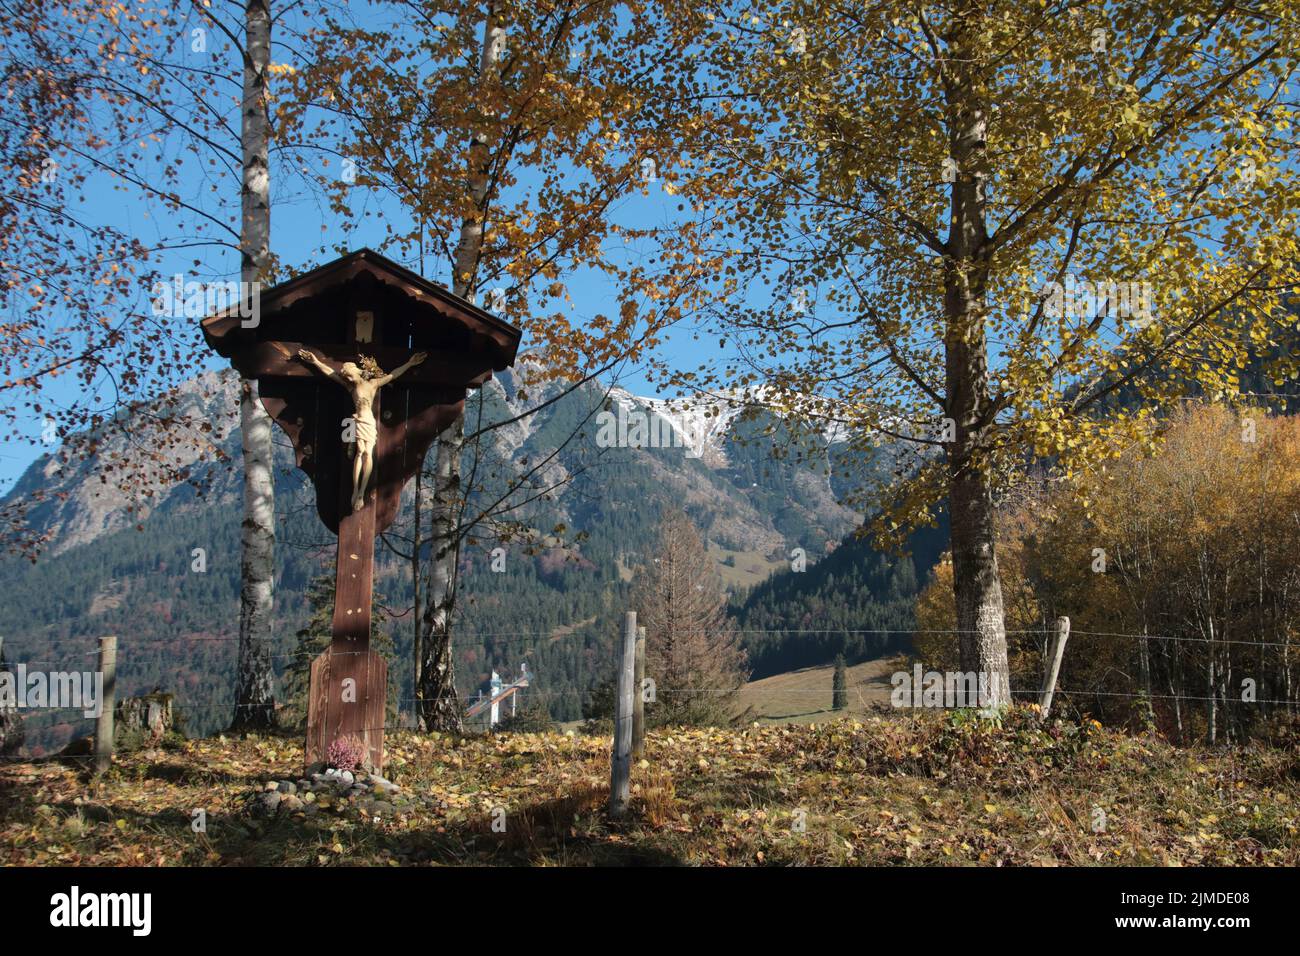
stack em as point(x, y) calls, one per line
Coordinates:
point(226, 332)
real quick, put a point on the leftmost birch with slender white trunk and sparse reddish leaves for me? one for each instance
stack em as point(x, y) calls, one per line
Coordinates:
point(137, 102)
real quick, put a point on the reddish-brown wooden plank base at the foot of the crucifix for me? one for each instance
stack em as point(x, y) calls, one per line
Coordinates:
point(348, 699)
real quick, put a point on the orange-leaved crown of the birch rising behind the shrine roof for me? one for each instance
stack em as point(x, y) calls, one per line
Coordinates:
point(561, 127)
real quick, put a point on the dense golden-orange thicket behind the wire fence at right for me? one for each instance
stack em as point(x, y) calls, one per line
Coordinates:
point(1191, 544)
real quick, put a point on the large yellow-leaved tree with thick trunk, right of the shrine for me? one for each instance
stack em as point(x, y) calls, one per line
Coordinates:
point(964, 226)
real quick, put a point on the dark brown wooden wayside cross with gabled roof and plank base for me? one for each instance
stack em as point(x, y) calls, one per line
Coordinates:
point(356, 310)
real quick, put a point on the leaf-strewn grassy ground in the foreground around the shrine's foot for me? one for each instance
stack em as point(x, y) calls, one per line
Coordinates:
point(937, 789)
